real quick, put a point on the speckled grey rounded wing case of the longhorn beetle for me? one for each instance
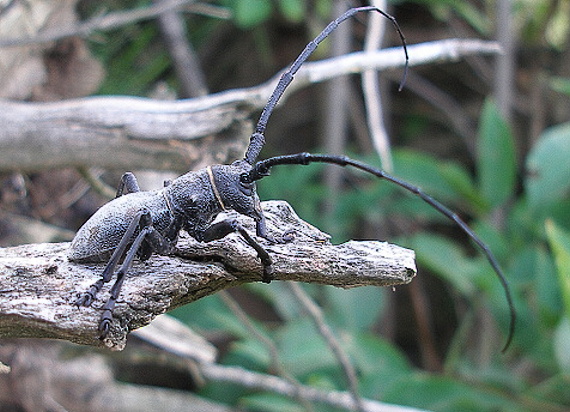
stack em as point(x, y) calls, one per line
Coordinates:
point(99, 236)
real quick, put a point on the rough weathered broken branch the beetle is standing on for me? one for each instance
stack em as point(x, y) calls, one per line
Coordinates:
point(39, 284)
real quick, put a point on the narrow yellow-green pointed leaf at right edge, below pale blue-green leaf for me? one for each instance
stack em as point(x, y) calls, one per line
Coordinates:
point(560, 244)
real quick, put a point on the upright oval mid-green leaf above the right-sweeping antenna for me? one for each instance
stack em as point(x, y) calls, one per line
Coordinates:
point(496, 163)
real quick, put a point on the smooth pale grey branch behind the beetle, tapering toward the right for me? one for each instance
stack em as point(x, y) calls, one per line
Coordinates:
point(135, 133)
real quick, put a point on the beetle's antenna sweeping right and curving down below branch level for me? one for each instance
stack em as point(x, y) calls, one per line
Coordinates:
point(261, 169)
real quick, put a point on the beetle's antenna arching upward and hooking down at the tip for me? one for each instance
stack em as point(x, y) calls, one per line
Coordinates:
point(257, 139)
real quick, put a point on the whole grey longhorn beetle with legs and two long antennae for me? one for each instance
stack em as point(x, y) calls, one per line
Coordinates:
point(137, 224)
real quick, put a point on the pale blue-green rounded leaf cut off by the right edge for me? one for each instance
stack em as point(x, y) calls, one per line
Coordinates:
point(548, 168)
